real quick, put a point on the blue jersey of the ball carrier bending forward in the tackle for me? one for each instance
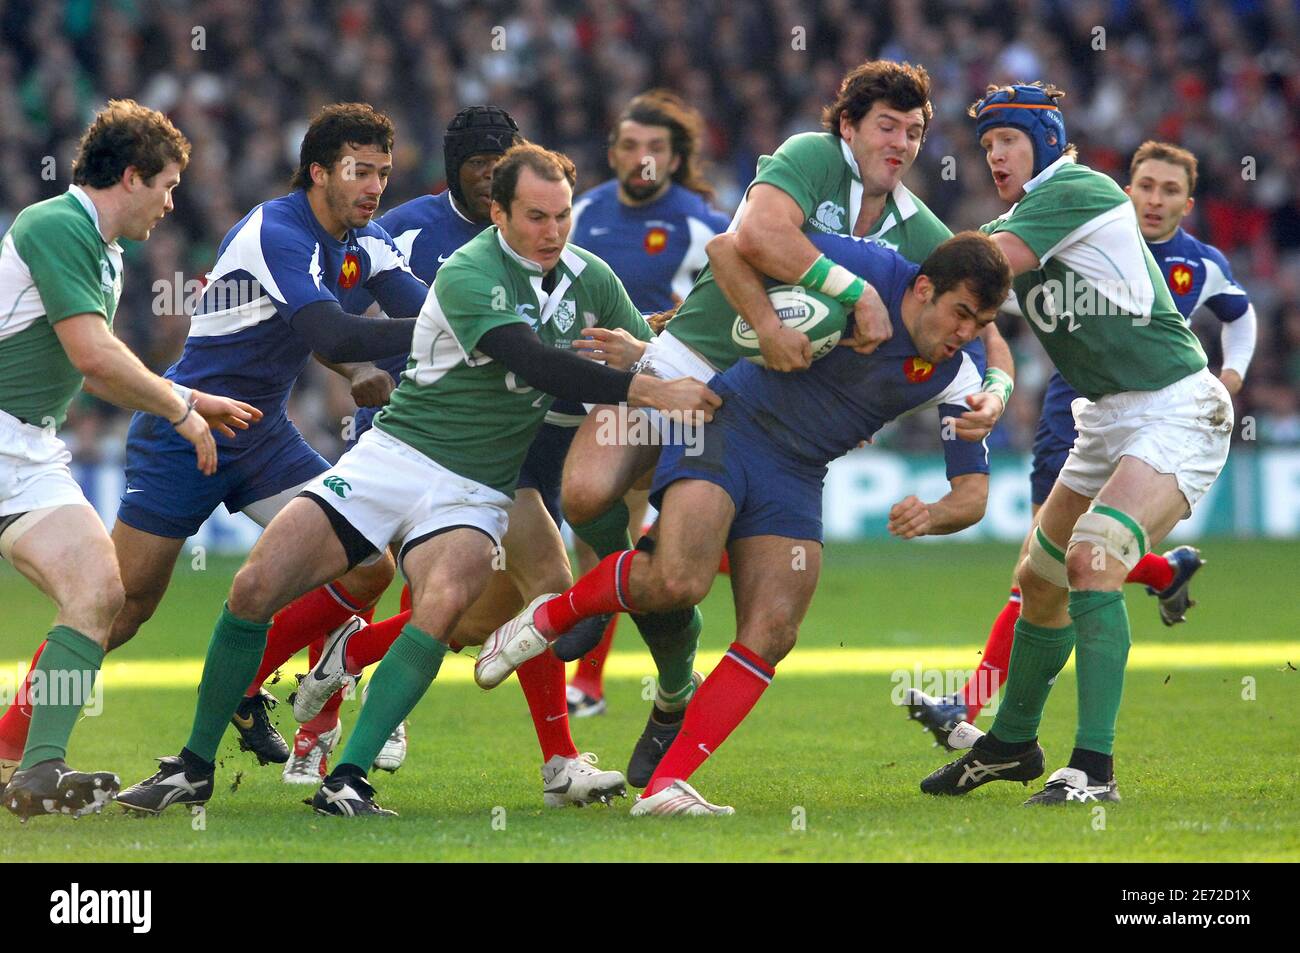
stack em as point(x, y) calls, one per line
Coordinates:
point(844, 398)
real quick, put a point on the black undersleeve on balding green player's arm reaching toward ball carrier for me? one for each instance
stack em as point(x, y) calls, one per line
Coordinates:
point(557, 372)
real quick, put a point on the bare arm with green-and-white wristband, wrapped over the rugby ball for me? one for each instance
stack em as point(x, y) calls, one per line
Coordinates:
point(772, 240)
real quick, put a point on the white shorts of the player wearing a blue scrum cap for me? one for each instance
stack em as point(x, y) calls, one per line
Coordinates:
point(1184, 430)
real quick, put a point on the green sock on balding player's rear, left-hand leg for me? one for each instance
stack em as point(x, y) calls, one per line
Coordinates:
point(235, 656)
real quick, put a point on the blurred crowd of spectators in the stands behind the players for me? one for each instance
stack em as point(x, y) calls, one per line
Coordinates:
point(242, 79)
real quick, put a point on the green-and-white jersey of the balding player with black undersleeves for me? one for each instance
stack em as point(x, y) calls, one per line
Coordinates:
point(457, 405)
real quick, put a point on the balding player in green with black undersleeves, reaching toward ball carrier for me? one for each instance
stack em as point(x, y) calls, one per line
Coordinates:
point(436, 474)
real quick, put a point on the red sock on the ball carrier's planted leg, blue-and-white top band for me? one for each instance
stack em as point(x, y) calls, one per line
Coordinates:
point(720, 705)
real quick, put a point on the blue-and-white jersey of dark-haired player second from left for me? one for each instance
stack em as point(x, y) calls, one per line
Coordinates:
point(276, 261)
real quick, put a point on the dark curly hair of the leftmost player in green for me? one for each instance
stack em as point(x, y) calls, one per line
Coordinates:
point(125, 135)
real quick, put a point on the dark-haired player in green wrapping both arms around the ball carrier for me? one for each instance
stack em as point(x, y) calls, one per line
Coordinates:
point(846, 181)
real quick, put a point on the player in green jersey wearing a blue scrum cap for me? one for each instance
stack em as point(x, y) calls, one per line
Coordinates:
point(1154, 430)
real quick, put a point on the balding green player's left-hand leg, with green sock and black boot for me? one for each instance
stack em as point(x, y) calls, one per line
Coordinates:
point(300, 551)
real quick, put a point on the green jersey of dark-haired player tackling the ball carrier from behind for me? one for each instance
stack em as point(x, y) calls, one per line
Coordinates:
point(818, 171)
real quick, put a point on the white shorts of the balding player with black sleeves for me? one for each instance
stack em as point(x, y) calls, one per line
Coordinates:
point(389, 492)
